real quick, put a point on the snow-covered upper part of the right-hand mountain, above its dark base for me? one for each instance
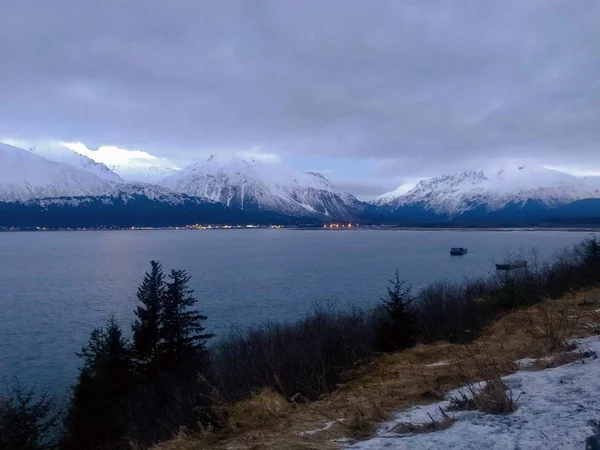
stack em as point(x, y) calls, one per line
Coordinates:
point(494, 190)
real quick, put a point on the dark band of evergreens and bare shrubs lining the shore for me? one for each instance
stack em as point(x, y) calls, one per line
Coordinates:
point(139, 392)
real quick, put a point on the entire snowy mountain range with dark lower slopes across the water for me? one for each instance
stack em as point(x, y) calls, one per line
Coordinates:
point(73, 190)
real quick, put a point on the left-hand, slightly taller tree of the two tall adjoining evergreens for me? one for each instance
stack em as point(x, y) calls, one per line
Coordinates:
point(146, 328)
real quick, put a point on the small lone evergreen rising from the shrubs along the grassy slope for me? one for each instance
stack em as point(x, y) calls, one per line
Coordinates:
point(399, 329)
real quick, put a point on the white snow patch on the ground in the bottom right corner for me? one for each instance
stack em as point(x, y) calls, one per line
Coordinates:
point(554, 410)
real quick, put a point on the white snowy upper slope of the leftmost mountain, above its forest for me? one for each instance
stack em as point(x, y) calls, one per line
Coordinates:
point(25, 176)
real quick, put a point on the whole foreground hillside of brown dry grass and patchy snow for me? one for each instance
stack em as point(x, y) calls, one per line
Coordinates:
point(403, 400)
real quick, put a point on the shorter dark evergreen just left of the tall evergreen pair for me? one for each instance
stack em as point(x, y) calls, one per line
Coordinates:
point(94, 419)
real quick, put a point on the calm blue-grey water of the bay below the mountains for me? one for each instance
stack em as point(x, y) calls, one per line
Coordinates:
point(55, 287)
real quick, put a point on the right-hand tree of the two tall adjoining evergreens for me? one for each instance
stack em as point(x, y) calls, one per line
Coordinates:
point(183, 334)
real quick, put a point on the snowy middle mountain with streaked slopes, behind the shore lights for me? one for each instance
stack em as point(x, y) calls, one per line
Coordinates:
point(260, 183)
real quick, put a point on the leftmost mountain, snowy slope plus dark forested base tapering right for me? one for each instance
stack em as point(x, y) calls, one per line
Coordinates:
point(36, 192)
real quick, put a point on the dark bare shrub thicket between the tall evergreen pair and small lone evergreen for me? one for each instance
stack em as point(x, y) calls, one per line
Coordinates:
point(309, 357)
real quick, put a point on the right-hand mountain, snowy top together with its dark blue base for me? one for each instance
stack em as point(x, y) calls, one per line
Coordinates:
point(519, 193)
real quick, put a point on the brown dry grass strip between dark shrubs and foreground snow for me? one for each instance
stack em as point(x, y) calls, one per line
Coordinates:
point(397, 381)
